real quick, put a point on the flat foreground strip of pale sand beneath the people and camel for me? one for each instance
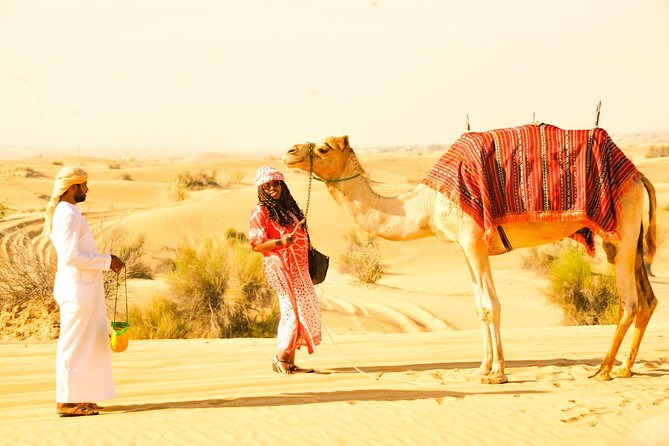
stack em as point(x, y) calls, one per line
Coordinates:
point(414, 388)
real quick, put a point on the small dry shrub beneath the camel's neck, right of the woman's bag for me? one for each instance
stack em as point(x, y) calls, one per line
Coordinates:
point(362, 258)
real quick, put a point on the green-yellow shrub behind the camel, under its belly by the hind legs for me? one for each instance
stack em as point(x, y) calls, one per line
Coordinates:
point(584, 296)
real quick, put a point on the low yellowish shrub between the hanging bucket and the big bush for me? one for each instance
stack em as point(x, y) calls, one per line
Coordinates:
point(159, 319)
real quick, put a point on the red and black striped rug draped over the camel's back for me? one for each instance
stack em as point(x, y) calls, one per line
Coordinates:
point(537, 173)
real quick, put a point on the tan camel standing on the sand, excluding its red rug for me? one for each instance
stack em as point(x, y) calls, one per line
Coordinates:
point(424, 211)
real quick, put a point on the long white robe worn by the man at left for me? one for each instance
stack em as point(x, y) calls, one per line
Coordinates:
point(83, 359)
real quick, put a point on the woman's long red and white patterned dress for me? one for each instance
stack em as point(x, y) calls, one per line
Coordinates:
point(287, 271)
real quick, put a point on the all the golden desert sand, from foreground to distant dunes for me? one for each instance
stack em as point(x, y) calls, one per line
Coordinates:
point(396, 363)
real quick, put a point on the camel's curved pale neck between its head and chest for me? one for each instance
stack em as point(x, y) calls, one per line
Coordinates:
point(403, 217)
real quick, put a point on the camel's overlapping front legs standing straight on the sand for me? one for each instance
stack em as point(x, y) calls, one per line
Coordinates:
point(489, 312)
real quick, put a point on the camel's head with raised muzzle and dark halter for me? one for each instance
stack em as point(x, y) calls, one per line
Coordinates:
point(329, 157)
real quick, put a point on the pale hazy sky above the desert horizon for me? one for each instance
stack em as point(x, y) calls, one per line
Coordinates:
point(259, 76)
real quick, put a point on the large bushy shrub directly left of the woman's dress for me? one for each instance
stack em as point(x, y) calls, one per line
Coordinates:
point(221, 291)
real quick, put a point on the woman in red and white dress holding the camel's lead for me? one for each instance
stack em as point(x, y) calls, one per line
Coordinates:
point(276, 231)
